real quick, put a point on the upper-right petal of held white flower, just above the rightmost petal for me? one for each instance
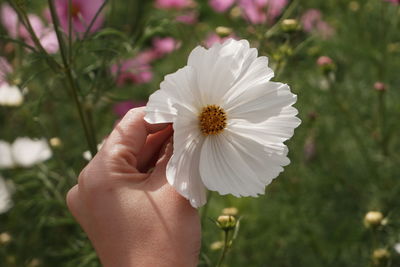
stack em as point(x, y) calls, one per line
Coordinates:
point(262, 102)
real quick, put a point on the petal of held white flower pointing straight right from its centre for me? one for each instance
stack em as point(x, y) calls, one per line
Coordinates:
point(273, 131)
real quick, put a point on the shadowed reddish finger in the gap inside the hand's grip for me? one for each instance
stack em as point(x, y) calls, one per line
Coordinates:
point(150, 152)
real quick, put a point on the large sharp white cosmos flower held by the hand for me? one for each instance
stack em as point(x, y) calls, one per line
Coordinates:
point(229, 119)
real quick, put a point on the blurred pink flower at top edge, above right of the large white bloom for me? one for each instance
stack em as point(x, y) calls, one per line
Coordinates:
point(261, 11)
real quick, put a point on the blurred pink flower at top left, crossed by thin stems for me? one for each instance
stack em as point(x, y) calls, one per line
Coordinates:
point(82, 12)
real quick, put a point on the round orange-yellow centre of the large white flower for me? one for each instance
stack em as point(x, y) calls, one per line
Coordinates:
point(212, 120)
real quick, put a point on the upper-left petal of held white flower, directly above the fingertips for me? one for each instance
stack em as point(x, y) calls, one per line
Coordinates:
point(178, 87)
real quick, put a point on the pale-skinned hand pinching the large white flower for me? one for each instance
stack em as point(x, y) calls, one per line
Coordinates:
point(124, 203)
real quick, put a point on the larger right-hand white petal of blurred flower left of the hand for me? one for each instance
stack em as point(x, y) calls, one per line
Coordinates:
point(27, 152)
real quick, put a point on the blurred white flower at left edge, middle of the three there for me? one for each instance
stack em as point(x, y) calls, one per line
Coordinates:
point(24, 152)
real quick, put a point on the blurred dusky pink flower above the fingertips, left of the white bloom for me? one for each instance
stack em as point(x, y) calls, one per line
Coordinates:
point(132, 71)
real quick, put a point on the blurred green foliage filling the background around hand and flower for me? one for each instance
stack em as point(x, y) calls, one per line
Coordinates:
point(344, 156)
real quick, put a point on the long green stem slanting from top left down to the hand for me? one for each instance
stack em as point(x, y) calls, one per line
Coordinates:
point(90, 137)
